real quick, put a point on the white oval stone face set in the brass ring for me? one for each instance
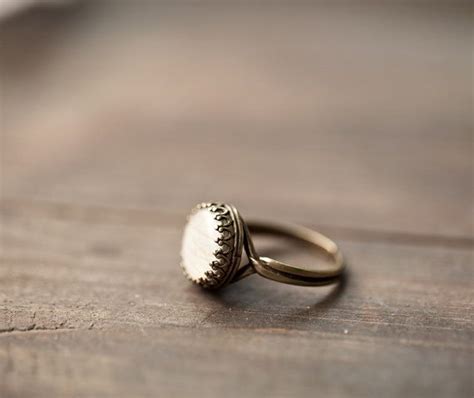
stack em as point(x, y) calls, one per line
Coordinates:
point(199, 243)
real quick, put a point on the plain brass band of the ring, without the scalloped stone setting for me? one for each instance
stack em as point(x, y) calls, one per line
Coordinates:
point(286, 273)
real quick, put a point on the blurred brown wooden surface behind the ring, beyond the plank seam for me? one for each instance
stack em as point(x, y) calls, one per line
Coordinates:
point(354, 114)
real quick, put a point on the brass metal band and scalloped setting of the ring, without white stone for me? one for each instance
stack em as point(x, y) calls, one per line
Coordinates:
point(234, 235)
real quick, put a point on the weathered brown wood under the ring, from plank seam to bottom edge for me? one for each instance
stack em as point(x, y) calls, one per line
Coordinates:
point(106, 302)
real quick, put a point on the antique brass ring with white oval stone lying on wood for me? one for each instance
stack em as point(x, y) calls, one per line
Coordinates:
point(216, 235)
